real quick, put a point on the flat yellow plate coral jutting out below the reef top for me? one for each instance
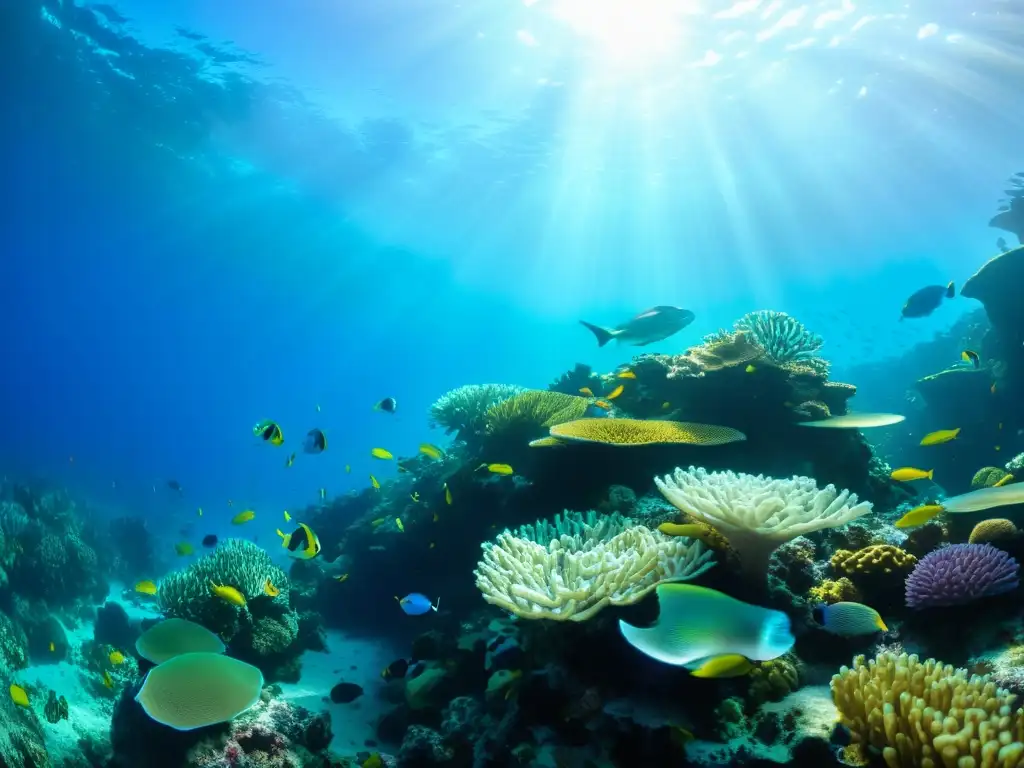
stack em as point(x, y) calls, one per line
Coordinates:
point(639, 433)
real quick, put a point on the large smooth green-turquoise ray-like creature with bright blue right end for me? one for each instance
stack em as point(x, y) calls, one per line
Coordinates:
point(697, 624)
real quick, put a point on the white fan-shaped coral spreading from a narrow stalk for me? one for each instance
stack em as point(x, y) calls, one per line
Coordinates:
point(758, 515)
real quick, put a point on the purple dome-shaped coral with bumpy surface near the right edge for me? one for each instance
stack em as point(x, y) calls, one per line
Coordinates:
point(961, 574)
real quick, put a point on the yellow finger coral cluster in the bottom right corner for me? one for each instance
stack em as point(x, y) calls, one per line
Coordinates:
point(926, 714)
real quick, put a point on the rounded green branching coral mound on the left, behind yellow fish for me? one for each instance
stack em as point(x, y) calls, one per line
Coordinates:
point(237, 564)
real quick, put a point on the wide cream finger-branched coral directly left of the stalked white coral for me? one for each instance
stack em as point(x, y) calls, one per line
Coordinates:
point(576, 576)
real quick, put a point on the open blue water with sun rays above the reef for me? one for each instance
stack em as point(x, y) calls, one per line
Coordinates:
point(219, 214)
